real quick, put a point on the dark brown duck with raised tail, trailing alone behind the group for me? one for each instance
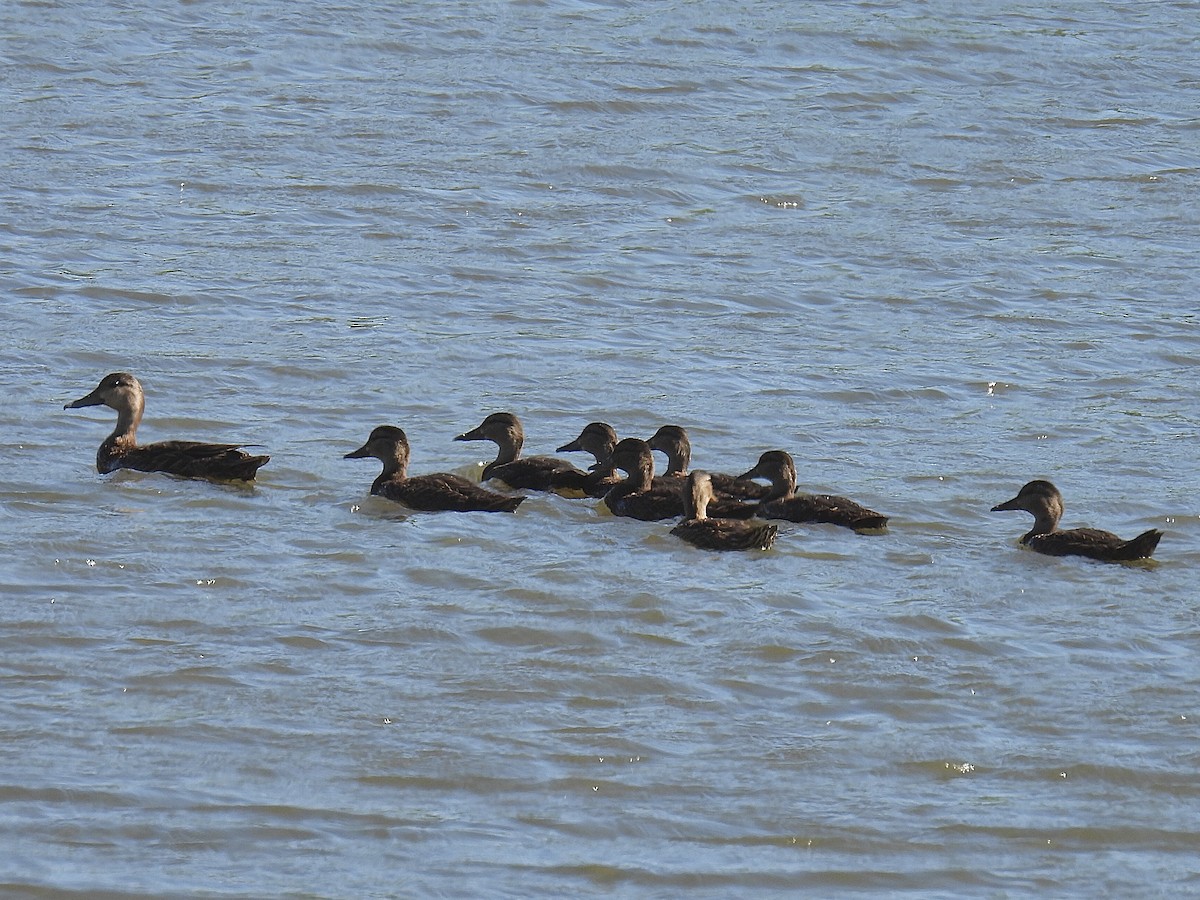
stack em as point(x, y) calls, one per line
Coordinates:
point(1045, 502)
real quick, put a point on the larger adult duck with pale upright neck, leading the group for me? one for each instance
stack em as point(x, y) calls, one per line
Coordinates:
point(187, 459)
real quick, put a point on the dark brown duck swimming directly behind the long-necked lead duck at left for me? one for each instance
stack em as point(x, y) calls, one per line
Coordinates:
point(436, 493)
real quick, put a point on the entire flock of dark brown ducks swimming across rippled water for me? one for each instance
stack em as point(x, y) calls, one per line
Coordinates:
point(716, 512)
